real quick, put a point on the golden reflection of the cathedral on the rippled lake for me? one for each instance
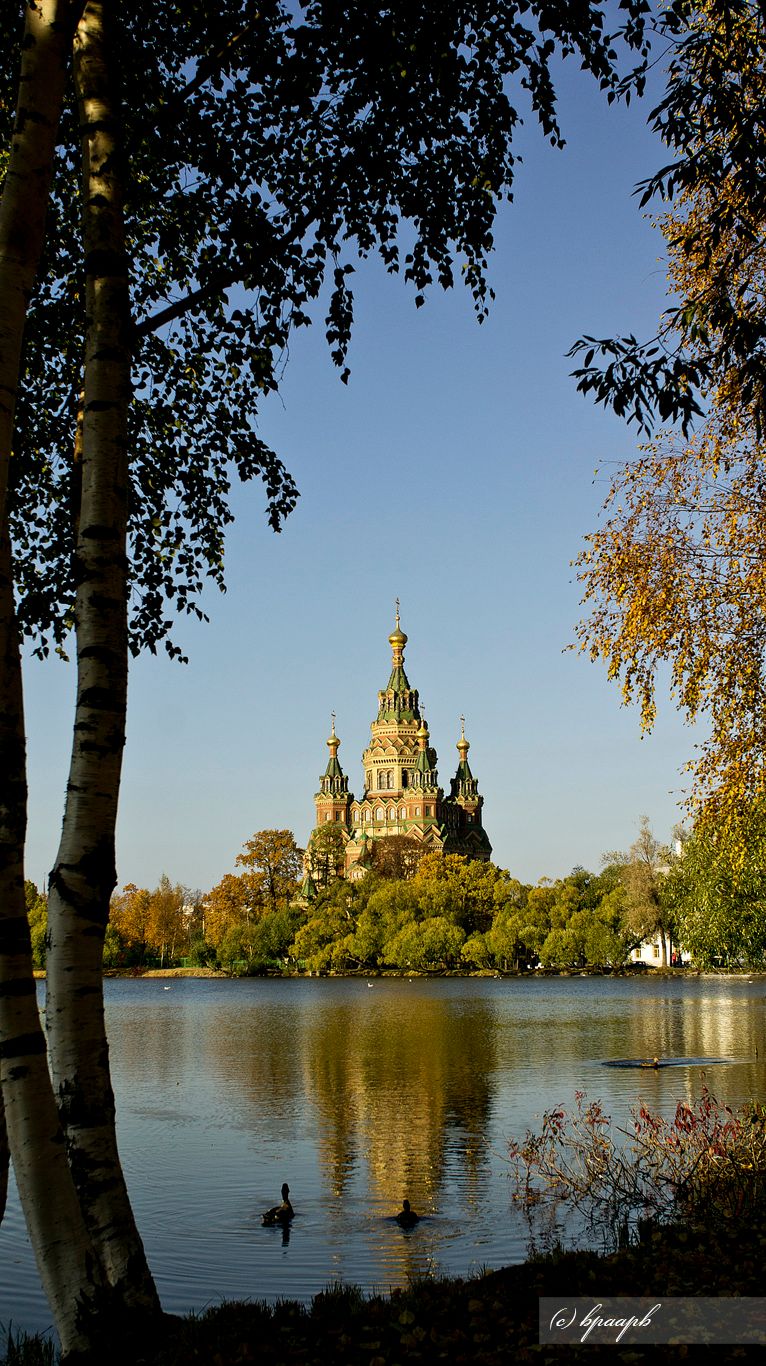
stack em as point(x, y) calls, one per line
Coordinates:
point(403, 1095)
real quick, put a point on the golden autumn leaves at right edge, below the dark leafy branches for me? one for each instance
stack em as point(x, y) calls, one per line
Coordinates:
point(675, 577)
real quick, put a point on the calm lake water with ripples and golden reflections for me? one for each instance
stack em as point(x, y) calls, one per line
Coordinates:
point(360, 1096)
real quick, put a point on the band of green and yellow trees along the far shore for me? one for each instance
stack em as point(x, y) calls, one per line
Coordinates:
point(424, 912)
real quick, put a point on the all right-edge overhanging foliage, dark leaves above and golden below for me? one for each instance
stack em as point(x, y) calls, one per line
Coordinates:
point(674, 574)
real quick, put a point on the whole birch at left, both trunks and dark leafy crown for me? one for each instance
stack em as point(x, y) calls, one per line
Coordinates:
point(259, 150)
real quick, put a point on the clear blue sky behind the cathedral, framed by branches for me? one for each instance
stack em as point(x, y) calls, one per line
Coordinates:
point(457, 472)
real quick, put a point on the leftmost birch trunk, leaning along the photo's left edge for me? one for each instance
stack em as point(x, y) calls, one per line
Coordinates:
point(68, 1268)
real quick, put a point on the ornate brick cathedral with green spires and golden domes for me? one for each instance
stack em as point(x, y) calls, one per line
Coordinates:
point(402, 794)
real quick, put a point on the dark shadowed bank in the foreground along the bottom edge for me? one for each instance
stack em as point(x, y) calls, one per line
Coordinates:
point(487, 1322)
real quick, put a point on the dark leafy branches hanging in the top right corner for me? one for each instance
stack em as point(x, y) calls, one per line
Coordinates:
point(713, 122)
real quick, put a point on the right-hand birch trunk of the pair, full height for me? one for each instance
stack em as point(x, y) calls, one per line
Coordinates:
point(84, 875)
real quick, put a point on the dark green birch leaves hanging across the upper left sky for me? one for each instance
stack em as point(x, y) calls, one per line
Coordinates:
point(267, 150)
